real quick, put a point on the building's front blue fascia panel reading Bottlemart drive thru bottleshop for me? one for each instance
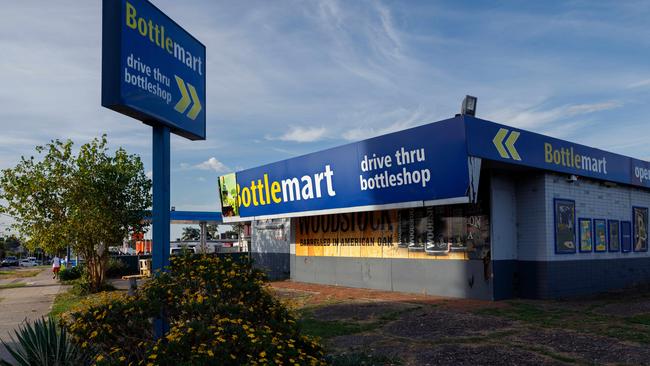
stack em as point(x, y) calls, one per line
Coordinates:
point(424, 163)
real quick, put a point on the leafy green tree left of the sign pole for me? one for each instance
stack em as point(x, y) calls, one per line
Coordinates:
point(90, 201)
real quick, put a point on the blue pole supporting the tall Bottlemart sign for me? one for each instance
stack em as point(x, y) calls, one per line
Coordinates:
point(161, 200)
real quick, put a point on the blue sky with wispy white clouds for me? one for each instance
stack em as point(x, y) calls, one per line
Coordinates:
point(285, 78)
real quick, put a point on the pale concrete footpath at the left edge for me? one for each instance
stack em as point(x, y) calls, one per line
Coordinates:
point(25, 303)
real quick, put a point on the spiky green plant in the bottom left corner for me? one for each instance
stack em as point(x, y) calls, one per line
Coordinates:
point(41, 343)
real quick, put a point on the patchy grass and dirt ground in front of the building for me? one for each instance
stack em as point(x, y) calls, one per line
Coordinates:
point(430, 330)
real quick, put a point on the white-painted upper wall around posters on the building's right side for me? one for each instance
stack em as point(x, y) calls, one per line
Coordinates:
point(534, 194)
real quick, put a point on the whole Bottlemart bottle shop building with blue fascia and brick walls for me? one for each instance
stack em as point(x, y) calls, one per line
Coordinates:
point(462, 207)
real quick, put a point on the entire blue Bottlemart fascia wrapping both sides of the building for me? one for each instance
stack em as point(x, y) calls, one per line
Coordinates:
point(426, 164)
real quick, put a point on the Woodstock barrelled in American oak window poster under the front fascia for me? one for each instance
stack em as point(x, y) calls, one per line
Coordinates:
point(442, 232)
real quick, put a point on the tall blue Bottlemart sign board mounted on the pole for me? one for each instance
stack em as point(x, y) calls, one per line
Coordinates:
point(152, 69)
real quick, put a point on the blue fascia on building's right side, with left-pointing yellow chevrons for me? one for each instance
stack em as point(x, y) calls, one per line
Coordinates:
point(510, 145)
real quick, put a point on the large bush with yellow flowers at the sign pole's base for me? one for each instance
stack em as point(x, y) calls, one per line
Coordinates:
point(219, 312)
